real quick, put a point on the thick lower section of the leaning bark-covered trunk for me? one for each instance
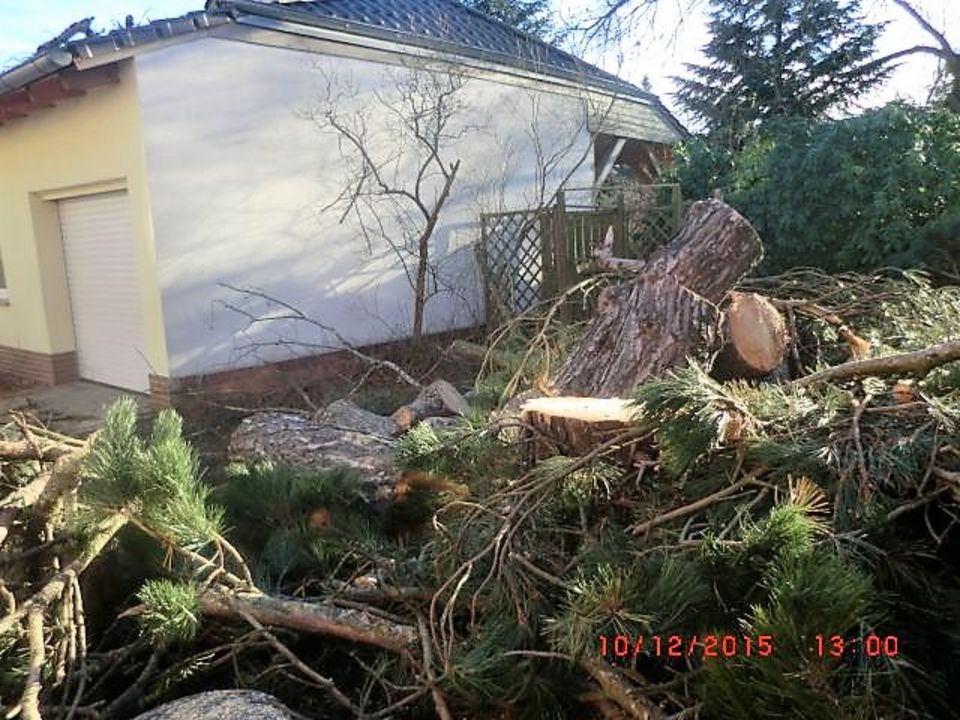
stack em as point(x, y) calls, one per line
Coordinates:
point(653, 327)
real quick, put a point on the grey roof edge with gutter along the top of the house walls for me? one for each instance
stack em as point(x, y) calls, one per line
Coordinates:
point(33, 84)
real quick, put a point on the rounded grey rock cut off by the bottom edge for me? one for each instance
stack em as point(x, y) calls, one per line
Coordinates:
point(221, 705)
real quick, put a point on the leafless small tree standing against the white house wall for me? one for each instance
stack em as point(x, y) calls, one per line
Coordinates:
point(398, 149)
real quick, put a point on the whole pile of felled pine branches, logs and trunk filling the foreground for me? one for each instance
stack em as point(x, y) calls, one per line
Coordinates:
point(699, 546)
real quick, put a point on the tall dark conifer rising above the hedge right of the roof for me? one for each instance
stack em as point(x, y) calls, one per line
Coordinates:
point(800, 58)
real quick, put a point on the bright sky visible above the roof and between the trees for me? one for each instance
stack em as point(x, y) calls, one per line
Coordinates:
point(657, 52)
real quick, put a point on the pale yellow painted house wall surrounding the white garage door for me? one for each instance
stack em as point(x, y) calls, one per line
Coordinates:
point(82, 145)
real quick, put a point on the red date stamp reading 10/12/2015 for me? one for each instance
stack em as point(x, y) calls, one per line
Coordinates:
point(677, 646)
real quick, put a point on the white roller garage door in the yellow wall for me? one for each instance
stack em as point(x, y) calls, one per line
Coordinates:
point(104, 292)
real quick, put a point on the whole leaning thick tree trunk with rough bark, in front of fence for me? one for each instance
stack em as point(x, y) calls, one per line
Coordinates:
point(669, 312)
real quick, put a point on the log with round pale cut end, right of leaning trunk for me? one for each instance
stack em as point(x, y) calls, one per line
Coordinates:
point(756, 338)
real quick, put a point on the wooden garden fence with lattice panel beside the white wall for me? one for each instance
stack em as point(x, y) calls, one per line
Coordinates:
point(531, 255)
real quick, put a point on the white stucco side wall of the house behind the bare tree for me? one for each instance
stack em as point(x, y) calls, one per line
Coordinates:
point(238, 176)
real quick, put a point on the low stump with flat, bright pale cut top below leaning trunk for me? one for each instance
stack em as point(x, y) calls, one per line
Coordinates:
point(576, 425)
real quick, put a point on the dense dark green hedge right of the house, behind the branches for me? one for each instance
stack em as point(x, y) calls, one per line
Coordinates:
point(880, 189)
